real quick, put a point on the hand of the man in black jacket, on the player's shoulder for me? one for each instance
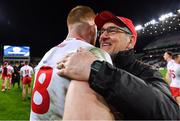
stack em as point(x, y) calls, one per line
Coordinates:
point(76, 66)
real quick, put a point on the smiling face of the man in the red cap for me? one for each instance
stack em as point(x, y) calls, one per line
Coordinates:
point(114, 40)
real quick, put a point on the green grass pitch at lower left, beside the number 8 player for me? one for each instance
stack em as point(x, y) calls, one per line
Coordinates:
point(11, 105)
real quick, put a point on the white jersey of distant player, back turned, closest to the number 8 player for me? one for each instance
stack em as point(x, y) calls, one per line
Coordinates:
point(26, 70)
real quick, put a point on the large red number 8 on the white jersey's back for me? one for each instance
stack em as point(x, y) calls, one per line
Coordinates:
point(40, 91)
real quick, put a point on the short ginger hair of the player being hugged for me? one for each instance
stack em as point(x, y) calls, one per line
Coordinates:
point(80, 14)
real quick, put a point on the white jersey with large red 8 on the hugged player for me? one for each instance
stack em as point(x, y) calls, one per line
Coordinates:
point(49, 91)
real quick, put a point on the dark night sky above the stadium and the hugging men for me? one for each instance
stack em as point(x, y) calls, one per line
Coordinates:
point(41, 24)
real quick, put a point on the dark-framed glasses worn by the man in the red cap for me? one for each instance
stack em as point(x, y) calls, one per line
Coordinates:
point(114, 30)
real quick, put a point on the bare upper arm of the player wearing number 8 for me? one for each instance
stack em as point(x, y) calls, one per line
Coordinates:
point(82, 103)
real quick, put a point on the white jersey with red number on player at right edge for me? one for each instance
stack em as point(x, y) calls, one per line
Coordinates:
point(175, 75)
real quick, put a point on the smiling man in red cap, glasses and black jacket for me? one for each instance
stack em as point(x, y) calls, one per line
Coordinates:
point(132, 89)
